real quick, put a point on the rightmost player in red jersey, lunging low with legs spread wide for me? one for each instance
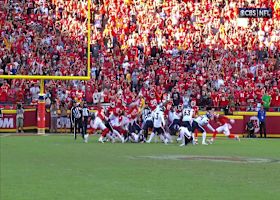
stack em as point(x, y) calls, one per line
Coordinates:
point(225, 126)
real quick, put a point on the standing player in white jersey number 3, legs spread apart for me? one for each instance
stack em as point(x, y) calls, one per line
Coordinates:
point(159, 123)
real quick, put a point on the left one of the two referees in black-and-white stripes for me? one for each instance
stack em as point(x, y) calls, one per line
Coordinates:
point(76, 119)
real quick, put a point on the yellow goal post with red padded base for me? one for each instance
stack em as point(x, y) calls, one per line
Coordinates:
point(41, 119)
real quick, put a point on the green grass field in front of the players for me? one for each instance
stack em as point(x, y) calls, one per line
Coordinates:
point(57, 167)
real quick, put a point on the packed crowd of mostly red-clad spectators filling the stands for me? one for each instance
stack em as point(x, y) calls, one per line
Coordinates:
point(198, 52)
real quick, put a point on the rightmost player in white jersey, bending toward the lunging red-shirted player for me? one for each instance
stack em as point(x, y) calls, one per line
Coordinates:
point(198, 124)
